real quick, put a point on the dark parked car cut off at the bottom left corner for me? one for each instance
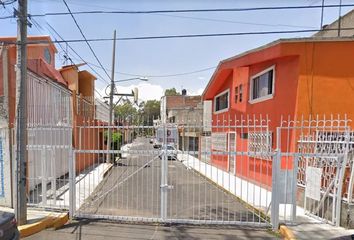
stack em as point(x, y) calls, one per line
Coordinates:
point(8, 226)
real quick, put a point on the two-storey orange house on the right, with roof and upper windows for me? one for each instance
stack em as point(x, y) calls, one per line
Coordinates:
point(288, 77)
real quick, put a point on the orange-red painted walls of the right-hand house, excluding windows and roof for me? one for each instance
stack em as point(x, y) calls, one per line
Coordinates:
point(310, 78)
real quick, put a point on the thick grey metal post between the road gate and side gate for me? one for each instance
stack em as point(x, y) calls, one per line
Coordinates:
point(275, 186)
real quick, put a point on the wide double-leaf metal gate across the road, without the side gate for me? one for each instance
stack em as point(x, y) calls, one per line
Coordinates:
point(147, 176)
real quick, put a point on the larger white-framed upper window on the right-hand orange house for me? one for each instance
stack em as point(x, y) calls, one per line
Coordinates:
point(262, 85)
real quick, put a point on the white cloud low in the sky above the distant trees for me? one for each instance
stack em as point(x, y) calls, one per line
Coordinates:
point(147, 91)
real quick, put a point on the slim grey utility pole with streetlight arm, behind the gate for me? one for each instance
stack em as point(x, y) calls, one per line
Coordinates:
point(111, 94)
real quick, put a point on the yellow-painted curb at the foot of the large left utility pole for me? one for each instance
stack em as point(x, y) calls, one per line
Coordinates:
point(47, 222)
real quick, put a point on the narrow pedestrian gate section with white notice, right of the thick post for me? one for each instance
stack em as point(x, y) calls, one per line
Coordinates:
point(312, 161)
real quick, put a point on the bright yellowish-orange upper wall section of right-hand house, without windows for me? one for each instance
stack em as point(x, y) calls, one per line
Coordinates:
point(326, 79)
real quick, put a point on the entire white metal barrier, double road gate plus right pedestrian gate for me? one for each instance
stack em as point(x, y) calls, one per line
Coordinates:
point(159, 173)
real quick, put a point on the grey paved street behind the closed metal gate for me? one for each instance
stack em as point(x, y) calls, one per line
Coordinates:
point(133, 189)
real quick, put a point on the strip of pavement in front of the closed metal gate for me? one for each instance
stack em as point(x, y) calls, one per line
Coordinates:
point(99, 230)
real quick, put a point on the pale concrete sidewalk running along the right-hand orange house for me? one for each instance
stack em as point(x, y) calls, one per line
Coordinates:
point(305, 226)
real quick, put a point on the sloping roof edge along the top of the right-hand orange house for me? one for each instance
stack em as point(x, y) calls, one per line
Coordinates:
point(272, 45)
